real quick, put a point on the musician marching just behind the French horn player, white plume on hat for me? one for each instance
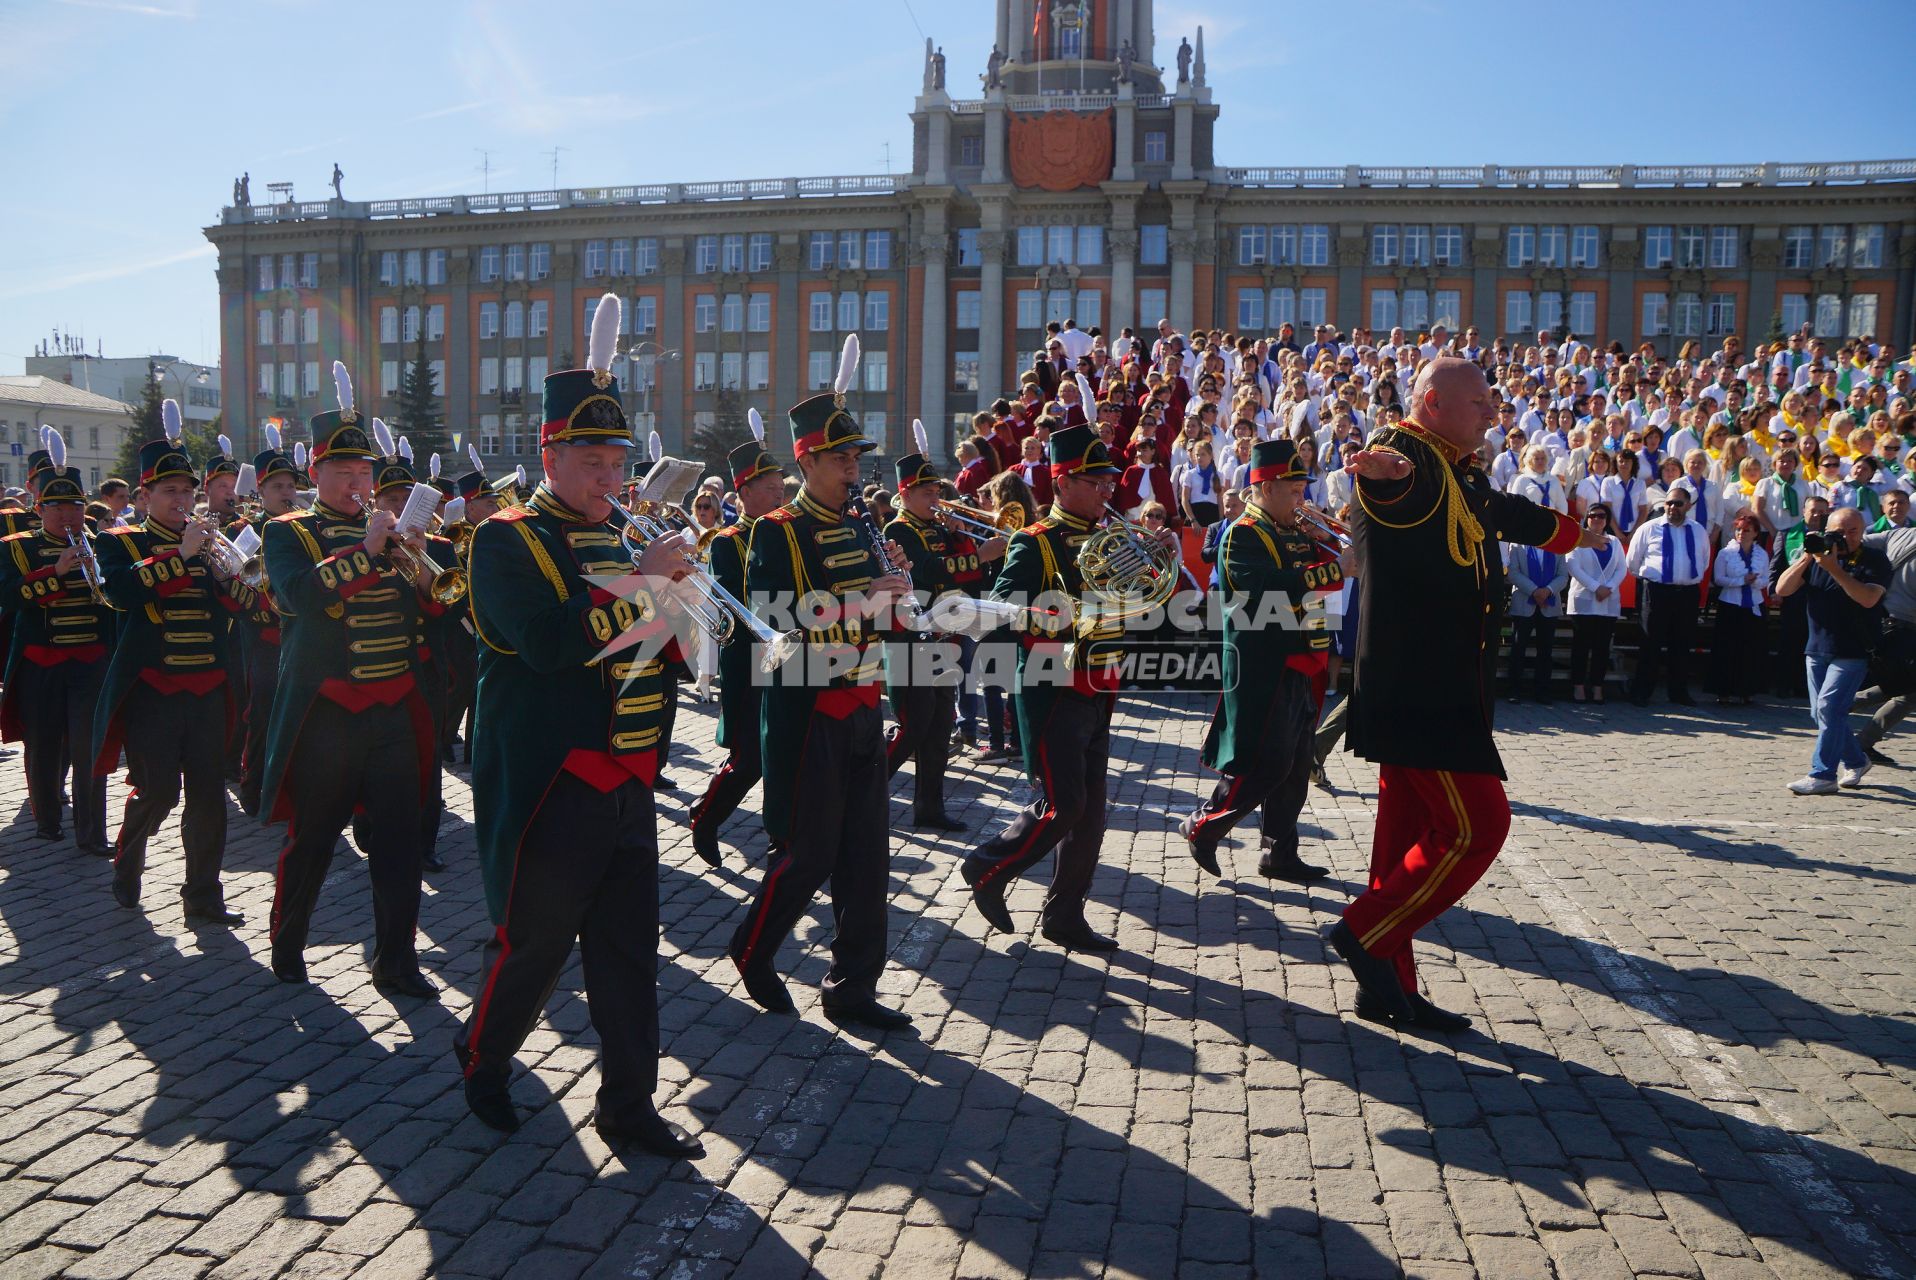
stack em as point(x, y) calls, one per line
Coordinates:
point(942, 562)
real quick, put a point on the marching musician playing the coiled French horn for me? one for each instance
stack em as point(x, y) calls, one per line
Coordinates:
point(1066, 731)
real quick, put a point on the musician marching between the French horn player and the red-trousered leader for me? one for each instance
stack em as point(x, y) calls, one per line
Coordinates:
point(1273, 670)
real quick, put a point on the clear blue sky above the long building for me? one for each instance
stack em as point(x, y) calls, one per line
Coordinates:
point(125, 122)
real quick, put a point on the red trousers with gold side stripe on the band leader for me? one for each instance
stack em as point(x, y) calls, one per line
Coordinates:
point(1438, 833)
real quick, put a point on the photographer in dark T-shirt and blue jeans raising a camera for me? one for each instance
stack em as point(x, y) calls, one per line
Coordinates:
point(1844, 583)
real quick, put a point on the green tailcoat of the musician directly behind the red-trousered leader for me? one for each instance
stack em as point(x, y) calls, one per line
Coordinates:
point(1277, 572)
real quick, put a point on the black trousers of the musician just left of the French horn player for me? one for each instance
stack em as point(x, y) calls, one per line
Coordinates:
point(842, 836)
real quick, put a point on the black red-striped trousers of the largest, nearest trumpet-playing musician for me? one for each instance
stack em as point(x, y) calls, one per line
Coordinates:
point(589, 873)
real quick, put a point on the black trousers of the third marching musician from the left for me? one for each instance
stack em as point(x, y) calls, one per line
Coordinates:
point(354, 762)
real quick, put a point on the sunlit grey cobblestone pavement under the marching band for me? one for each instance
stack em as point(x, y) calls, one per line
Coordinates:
point(1697, 1055)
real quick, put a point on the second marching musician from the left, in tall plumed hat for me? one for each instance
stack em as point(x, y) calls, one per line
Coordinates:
point(168, 698)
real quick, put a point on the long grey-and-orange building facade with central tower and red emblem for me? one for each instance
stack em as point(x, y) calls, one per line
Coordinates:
point(1082, 183)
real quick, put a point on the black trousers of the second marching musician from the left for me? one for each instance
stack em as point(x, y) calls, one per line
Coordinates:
point(175, 741)
